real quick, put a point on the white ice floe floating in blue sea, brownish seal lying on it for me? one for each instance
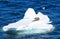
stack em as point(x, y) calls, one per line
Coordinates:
point(32, 23)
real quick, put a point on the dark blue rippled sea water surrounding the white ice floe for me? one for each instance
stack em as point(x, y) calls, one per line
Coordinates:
point(13, 10)
